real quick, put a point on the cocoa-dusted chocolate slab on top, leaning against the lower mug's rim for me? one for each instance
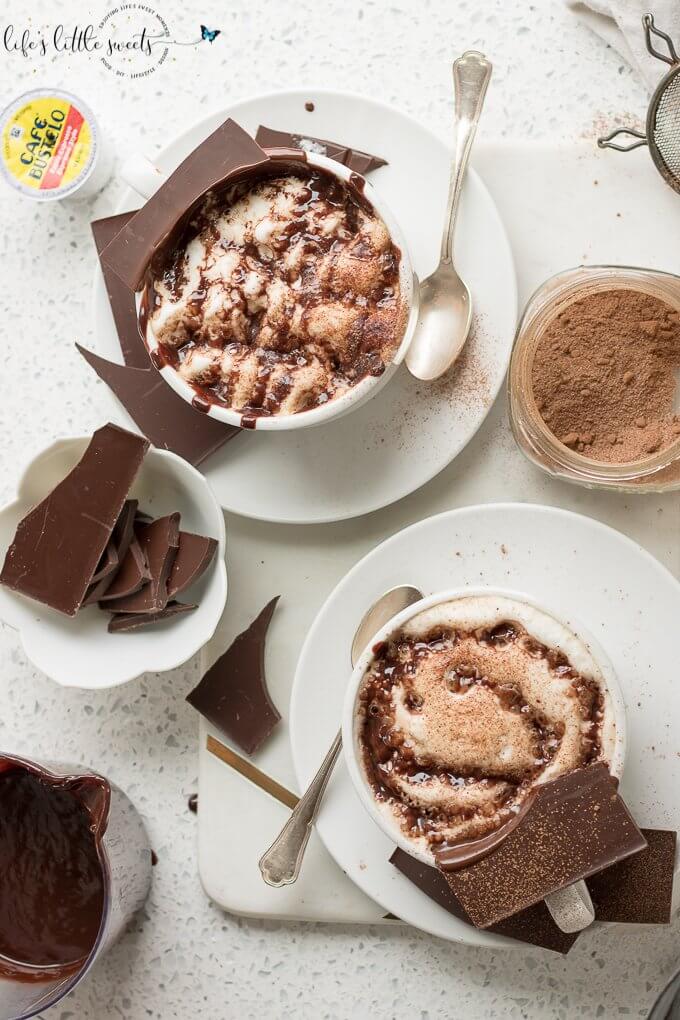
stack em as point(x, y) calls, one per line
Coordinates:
point(572, 828)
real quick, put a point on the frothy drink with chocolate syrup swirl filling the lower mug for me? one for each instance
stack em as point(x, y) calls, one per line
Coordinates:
point(466, 708)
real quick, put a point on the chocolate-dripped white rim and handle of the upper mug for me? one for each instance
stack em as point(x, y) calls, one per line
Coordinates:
point(145, 179)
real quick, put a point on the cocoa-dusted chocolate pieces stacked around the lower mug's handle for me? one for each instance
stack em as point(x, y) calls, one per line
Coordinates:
point(576, 828)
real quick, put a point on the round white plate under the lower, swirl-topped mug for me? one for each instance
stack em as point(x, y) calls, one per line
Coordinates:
point(581, 569)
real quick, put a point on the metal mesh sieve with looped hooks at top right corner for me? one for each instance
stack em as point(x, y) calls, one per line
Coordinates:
point(663, 128)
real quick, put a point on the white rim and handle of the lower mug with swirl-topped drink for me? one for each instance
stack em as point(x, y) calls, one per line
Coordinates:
point(571, 908)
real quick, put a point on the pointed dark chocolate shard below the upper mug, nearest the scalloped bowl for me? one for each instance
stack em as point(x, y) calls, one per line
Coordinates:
point(168, 421)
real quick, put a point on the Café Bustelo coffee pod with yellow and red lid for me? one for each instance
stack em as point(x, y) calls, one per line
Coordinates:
point(50, 145)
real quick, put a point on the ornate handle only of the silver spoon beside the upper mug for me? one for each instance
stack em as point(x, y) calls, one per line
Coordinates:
point(473, 74)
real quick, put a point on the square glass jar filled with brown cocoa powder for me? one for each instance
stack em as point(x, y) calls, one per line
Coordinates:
point(593, 379)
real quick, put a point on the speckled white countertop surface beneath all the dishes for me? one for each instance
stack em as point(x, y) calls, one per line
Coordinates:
point(186, 958)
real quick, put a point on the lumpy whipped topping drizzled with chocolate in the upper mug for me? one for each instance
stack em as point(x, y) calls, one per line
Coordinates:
point(282, 295)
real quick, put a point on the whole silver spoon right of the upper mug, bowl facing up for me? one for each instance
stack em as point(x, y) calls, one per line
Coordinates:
point(446, 303)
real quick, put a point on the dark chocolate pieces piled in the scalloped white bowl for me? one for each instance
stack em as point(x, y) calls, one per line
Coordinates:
point(88, 543)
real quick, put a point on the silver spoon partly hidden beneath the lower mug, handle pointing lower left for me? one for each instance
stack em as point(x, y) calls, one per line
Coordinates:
point(281, 864)
